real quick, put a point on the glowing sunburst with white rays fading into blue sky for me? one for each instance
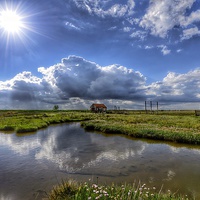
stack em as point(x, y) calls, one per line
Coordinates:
point(16, 25)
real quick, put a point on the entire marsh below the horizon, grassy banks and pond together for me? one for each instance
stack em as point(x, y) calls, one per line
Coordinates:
point(109, 151)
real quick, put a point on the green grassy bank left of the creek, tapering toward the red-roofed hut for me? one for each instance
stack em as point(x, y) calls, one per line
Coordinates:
point(31, 121)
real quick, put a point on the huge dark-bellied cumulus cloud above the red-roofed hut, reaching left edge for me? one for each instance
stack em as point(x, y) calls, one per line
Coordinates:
point(73, 82)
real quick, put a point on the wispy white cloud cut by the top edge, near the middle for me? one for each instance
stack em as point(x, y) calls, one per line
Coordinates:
point(106, 8)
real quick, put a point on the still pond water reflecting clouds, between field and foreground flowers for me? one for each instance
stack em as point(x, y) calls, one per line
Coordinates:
point(31, 164)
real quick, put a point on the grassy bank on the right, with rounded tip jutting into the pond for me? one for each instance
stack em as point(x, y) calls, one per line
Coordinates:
point(175, 128)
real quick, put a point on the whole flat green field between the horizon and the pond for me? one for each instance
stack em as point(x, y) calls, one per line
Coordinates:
point(176, 126)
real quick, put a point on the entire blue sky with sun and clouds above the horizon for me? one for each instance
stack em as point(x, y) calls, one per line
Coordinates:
point(73, 53)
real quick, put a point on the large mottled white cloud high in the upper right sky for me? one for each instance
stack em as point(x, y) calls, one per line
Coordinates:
point(163, 15)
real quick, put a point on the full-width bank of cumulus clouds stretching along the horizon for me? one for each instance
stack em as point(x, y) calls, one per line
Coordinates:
point(76, 83)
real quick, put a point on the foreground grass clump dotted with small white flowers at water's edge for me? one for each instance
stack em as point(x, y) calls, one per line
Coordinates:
point(88, 191)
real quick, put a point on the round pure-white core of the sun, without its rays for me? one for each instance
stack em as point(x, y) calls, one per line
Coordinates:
point(10, 21)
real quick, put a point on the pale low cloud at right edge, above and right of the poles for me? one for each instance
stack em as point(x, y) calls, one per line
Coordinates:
point(177, 87)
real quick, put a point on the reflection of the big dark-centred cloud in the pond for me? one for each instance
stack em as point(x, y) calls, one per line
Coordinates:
point(73, 150)
